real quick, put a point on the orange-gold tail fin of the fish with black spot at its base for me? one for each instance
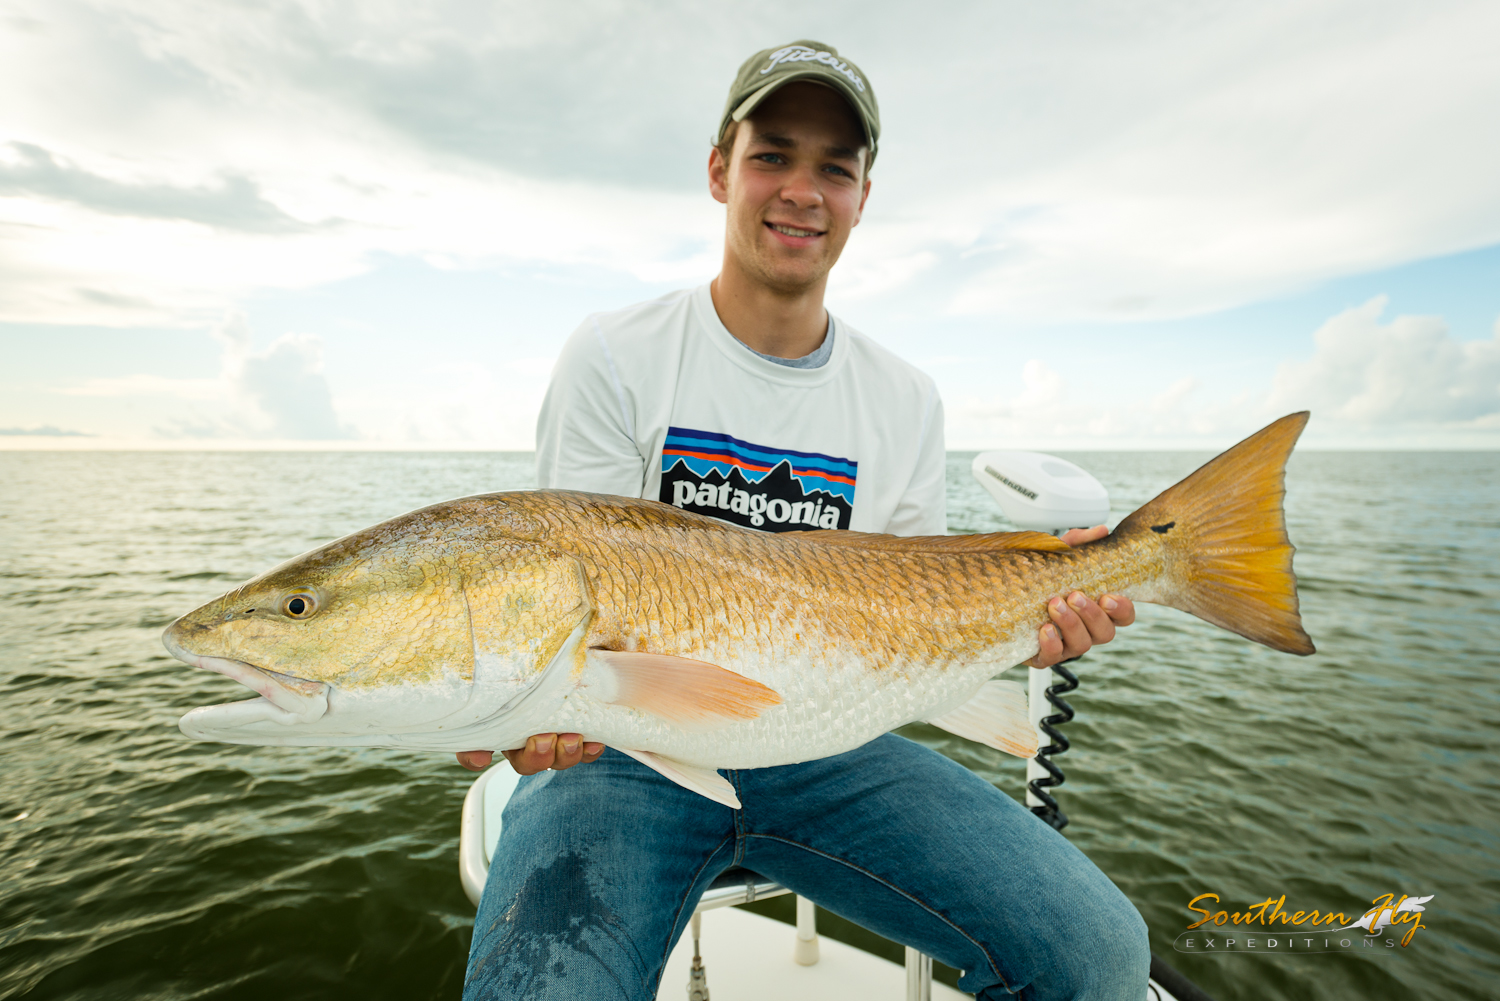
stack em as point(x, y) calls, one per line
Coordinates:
point(1229, 559)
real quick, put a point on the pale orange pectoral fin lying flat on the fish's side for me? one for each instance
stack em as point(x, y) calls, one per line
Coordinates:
point(691, 694)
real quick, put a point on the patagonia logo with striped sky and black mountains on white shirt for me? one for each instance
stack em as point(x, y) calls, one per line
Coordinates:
point(757, 487)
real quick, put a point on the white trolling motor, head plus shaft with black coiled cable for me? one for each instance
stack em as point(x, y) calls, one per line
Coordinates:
point(1042, 493)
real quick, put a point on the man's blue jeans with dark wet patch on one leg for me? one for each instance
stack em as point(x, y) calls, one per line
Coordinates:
point(599, 868)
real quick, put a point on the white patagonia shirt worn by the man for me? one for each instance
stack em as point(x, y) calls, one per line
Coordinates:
point(662, 401)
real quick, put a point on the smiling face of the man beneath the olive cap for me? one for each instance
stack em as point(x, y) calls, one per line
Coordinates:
point(794, 187)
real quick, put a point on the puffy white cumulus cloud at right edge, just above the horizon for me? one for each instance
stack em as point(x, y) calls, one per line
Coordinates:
point(1408, 373)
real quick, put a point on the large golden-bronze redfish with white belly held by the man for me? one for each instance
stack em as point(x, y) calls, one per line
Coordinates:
point(697, 646)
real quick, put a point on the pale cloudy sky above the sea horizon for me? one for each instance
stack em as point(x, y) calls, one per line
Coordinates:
point(1154, 224)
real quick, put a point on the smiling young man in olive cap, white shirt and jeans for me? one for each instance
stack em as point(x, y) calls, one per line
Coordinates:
point(748, 401)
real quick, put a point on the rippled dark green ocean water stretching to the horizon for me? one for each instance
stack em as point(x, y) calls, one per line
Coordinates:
point(139, 865)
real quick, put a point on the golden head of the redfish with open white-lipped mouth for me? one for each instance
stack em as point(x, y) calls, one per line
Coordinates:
point(406, 628)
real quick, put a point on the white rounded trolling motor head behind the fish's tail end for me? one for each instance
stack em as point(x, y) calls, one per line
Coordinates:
point(1042, 493)
